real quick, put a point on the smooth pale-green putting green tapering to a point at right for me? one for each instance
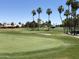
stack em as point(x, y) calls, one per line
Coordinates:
point(10, 43)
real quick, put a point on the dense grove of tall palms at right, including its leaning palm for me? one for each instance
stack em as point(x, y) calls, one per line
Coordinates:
point(71, 22)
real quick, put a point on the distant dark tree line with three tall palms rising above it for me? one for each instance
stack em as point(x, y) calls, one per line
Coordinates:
point(33, 24)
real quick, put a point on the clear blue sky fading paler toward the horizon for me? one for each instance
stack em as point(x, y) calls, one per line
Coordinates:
point(20, 10)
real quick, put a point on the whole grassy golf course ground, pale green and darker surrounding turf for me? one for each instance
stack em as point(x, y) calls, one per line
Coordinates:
point(25, 44)
